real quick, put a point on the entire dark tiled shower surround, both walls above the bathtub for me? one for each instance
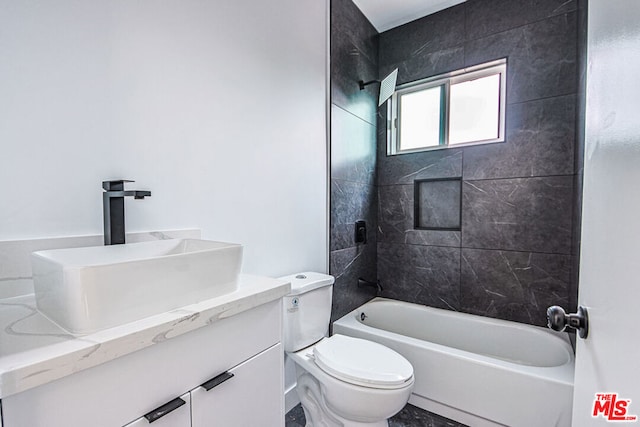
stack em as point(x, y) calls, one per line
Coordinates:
point(513, 254)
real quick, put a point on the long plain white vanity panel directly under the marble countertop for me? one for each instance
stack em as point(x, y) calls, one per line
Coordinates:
point(120, 391)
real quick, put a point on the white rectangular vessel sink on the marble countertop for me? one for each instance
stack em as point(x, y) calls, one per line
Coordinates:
point(84, 290)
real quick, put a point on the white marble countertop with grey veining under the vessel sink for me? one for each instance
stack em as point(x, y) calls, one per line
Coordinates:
point(35, 351)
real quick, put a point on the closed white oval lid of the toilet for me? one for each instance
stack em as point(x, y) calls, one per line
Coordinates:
point(362, 362)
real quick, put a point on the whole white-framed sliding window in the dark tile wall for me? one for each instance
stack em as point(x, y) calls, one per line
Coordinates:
point(457, 108)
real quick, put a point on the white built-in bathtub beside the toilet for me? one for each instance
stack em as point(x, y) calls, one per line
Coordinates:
point(473, 369)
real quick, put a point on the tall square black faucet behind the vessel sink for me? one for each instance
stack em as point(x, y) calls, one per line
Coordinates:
point(113, 209)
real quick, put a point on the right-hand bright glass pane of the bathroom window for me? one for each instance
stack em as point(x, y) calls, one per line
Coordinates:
point(474, 111)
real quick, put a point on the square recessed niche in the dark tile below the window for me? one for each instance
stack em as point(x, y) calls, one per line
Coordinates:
point(437, 204)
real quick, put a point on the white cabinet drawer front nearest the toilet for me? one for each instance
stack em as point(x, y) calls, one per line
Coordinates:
point(254, 396)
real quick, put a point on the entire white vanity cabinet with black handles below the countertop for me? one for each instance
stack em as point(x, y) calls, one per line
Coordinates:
point(121, 391)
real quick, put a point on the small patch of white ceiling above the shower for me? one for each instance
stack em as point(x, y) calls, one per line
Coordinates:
point(386, 14)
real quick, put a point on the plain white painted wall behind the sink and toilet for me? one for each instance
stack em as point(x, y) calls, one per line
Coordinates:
point(218, 107)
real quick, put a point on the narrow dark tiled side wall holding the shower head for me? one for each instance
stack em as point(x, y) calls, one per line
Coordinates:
point(354, 57)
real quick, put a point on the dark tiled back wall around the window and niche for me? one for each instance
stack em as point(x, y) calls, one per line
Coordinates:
point(516, 251)
